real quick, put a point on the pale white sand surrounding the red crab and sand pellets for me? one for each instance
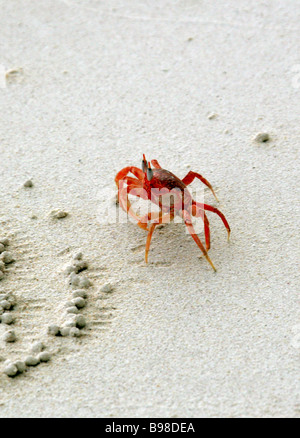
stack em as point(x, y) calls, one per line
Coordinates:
point(101, 84)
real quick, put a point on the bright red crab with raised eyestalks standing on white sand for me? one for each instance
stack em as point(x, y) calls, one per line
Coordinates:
point(153, 184)
